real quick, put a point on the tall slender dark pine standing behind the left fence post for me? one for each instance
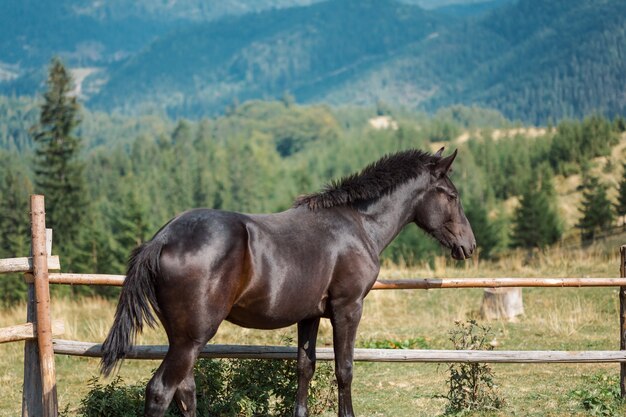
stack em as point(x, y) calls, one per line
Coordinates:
point(58, 171)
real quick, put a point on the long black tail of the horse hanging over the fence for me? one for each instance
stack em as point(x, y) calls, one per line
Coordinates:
point(133, 309)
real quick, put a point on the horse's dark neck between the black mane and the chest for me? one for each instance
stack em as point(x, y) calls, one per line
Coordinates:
point(384, 218)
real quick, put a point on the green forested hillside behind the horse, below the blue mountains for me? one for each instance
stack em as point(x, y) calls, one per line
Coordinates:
point(262, 154)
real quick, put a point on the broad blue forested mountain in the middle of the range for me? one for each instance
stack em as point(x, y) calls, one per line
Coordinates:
point(203, 68)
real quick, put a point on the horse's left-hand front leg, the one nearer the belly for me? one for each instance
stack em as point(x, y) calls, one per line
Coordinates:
point(307, 336)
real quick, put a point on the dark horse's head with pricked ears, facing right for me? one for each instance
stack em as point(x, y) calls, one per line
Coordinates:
point(440, 212)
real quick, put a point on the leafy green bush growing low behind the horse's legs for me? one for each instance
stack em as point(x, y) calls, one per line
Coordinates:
point(226, 388)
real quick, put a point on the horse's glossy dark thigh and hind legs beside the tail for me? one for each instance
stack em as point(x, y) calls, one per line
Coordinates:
point(195, 293)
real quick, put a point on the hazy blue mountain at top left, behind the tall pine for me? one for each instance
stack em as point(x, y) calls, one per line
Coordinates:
point(96, 33)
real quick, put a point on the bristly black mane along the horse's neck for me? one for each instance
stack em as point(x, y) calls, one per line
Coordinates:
point(375, 180)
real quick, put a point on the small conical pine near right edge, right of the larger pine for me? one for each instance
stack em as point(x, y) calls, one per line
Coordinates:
point(596, 208)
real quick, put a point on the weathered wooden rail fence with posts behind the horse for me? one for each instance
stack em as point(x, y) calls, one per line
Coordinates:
point(39, 392)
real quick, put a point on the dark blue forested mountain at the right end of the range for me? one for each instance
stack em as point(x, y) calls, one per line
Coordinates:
point(563, 59)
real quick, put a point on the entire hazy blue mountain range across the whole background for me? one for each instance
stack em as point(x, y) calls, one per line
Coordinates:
point(533, 60)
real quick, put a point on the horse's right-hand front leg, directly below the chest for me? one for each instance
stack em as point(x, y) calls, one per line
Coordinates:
point(345, 320)
